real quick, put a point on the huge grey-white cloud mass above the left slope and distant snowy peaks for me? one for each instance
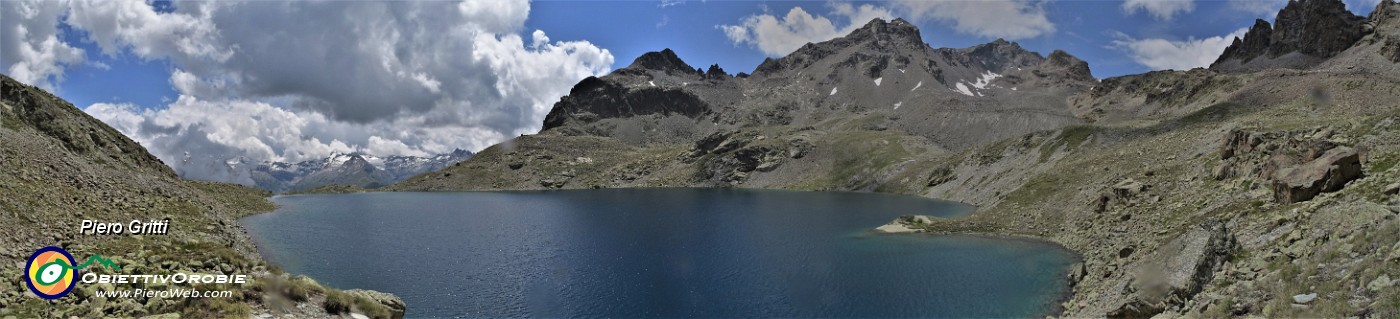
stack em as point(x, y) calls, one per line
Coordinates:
point(304, 79)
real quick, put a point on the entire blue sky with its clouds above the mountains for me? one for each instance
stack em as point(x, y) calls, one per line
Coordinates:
point(297, 80)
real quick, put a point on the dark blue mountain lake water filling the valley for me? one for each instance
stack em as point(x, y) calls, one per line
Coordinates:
point(657, 253)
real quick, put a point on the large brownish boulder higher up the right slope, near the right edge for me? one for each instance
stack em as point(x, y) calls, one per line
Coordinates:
point(1329, 173)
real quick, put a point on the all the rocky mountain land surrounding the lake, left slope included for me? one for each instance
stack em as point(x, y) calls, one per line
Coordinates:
point(1265, 185)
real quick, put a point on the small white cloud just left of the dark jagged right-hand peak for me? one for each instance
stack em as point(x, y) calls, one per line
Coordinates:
point(1175, 55)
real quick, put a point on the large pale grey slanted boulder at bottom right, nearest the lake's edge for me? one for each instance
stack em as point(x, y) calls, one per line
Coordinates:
point(1175, 272)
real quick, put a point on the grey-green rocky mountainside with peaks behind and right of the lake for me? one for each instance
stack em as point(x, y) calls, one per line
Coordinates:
point(1220, 192)
